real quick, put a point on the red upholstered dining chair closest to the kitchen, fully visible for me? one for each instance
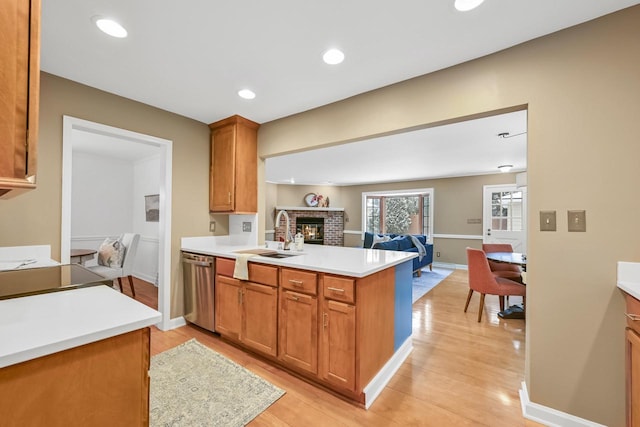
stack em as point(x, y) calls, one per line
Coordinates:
point(482, 280)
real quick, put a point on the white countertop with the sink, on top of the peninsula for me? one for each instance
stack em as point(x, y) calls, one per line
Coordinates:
point(355, 262)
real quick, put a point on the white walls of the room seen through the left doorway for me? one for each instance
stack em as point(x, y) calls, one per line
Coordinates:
point(108, 200)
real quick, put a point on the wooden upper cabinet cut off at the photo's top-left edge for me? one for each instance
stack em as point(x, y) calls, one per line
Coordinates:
point(19, 94)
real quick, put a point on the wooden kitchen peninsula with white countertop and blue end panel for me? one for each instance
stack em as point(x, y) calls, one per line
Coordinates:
point(338, 317)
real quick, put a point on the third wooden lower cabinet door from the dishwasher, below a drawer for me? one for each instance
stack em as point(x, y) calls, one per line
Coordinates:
point(299, 330)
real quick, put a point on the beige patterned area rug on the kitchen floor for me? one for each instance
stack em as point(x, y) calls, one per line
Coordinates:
point(192, 385)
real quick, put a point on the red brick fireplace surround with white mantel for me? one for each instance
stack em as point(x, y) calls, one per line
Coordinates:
point(333, 222)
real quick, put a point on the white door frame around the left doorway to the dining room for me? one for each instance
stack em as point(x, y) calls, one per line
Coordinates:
point(164, 226)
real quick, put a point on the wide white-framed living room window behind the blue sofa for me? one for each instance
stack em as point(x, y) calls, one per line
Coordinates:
point(399, 212)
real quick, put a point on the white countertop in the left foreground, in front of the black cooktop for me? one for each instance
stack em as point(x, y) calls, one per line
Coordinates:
point(39, 325)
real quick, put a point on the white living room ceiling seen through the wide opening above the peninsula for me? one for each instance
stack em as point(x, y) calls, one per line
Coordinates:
point(468, 148)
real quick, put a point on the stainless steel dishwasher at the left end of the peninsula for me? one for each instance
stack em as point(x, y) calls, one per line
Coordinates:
point(199, 296)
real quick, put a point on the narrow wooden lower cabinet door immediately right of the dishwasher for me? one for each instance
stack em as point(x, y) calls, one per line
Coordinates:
point(228, 306)
